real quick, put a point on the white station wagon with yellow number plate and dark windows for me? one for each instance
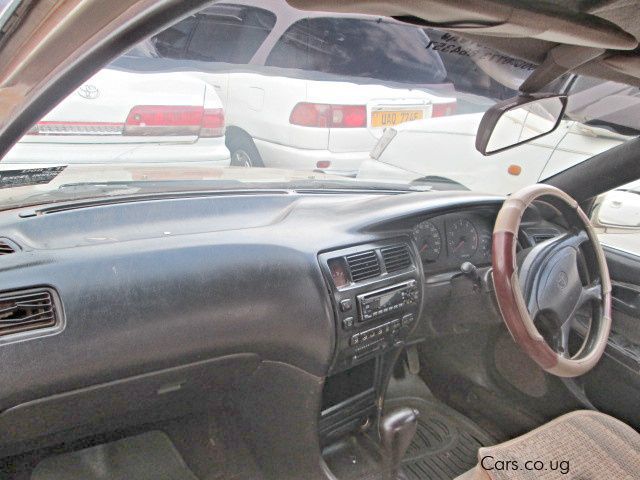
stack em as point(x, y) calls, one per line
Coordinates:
point(307, 90)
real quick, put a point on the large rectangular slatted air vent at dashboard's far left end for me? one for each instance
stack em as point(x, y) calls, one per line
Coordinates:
point(27, 310)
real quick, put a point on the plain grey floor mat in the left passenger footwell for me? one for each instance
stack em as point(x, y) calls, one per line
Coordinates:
point(149, 456)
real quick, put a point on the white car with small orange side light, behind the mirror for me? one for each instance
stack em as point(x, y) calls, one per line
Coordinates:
point(421, 150)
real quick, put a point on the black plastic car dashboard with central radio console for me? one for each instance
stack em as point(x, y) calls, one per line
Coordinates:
point(160, 304)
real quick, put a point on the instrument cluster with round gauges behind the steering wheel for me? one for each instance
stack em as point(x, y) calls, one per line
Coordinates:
point(449, 240)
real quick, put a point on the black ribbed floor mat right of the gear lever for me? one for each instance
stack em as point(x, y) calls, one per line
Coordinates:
point(446, 443)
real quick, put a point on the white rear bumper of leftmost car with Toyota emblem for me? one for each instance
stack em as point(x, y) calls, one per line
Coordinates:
point(211, 151)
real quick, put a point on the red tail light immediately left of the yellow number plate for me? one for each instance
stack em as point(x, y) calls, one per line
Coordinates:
point(322, 115)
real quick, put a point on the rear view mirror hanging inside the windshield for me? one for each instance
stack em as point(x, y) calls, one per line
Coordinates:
point(519, 120)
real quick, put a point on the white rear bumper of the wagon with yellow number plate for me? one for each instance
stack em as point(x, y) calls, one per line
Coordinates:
point(281, 156)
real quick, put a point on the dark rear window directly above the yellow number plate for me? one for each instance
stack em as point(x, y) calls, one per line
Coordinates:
point(360, 48)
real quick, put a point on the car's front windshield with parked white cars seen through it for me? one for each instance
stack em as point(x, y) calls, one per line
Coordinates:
point(259, 95)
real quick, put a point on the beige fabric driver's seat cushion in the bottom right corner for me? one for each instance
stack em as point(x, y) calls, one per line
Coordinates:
point(594, 446)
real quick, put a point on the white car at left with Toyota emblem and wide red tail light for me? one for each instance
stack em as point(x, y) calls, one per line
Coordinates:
point(125, 117)
